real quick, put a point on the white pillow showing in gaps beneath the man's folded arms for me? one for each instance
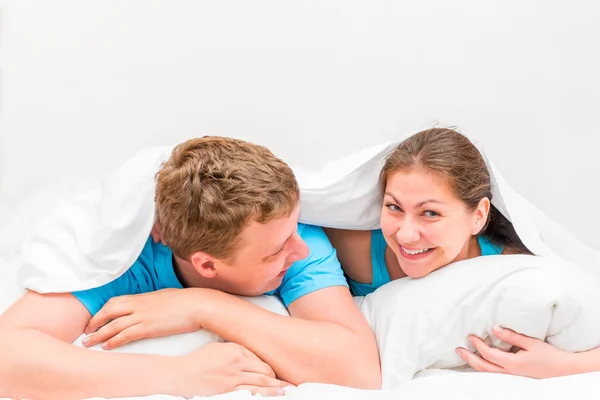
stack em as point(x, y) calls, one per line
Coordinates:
point(176, 345)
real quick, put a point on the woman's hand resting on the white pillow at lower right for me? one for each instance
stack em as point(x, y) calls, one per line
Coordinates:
point(535, 359)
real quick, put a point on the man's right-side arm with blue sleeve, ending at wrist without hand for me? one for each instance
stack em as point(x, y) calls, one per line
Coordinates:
point(328, 340)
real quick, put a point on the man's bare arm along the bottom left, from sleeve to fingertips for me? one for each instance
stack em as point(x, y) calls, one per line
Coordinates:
point(39, 361)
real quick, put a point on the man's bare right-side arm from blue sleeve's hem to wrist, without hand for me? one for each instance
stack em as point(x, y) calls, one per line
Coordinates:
point(327, 341)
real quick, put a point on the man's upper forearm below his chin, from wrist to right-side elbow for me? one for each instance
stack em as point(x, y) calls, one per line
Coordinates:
point(298, 350)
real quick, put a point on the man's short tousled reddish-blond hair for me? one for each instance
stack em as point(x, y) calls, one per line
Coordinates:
point(212, 187)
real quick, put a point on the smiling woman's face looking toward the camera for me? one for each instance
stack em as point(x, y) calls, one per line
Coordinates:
point(425, 224)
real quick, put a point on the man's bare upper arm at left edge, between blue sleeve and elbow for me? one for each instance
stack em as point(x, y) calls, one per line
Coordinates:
point(59, 315)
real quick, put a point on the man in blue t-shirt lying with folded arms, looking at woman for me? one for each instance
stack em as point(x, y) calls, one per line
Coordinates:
point(227, 211)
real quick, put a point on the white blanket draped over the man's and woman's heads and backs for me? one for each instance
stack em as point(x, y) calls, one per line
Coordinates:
point(91, 239)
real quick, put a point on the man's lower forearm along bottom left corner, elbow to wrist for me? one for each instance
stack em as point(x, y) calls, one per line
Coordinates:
point(35, 365)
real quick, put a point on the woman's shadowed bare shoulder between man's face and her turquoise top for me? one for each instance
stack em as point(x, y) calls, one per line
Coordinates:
point(354, 252)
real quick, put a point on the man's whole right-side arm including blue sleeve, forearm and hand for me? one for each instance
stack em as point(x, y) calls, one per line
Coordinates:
point(328, 340)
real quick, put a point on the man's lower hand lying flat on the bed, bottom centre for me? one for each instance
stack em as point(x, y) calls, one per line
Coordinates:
point(224, 367)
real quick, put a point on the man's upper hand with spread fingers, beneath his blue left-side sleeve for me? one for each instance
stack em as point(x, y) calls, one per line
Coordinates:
point(125, 319)
